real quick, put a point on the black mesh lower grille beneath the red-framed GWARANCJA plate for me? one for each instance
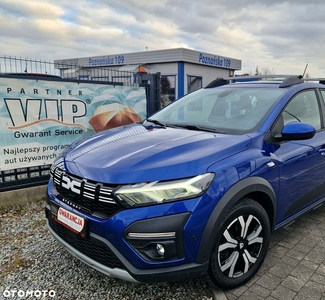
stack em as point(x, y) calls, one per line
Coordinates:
point(91, 247)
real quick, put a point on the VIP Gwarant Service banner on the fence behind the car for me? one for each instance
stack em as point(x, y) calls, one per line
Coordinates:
point(39, 118)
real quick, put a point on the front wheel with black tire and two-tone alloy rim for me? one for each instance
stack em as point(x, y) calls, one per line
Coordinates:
point(241, 245)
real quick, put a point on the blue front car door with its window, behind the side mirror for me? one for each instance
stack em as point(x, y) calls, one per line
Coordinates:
point(301, 164)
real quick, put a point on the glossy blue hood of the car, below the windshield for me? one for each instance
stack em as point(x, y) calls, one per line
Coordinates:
point(137, 153)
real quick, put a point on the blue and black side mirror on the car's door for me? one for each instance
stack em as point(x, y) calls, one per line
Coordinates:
point(296, 131)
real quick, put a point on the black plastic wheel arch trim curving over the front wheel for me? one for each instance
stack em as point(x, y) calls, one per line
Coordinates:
point(232, 196)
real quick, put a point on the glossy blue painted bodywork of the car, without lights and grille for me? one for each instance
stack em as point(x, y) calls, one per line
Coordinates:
point(144, 153)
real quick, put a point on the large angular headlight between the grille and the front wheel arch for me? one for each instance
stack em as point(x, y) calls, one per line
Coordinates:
point(163, 191)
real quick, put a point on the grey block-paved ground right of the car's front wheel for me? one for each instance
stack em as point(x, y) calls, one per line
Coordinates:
point(294, 267)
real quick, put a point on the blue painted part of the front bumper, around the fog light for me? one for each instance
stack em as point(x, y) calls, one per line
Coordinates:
point(115, 226)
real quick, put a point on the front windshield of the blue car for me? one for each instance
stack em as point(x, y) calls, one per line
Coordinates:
point(233, 110)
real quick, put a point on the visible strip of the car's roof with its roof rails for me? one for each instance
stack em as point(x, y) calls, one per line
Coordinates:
point(282, 81)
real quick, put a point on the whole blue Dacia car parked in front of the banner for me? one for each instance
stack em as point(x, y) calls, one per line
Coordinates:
point(196, 189)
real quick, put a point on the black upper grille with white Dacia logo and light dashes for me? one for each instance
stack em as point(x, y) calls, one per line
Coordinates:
point(88, 196)
